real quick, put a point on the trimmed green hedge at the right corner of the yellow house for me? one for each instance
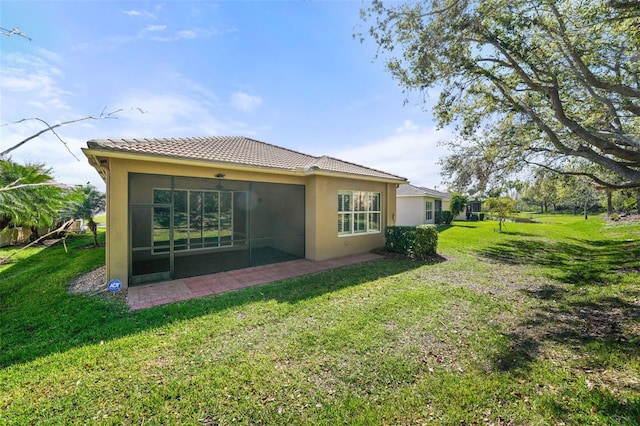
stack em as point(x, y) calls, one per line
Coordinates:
point(418, 241)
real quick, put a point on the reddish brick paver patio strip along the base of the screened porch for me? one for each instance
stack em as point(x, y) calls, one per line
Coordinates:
point(146, 296)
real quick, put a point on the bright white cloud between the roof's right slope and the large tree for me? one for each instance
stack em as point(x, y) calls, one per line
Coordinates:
point(412, 152)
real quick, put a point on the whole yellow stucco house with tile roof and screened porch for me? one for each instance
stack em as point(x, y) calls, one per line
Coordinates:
point(192, 206)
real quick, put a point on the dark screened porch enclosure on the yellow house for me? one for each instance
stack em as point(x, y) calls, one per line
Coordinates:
point(183, 227)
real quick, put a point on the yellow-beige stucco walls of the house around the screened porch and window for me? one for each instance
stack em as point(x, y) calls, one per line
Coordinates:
point(321, 207)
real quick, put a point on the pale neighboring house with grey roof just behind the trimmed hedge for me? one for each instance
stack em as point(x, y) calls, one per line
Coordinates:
point(418, 205)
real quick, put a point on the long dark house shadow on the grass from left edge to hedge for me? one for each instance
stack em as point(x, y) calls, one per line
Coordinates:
point(39, 318)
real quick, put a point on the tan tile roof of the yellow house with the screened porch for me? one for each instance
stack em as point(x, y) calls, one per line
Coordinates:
point(235, 150)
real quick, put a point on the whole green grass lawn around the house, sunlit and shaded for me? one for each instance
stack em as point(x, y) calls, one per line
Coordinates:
point(536, 325)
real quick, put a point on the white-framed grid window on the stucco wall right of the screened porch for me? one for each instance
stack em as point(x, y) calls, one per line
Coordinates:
point(359, 212)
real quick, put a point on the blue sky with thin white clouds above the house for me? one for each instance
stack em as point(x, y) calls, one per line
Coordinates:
point(289, 73)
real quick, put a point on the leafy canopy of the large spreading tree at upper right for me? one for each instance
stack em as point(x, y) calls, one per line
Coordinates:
point(524, 82)
